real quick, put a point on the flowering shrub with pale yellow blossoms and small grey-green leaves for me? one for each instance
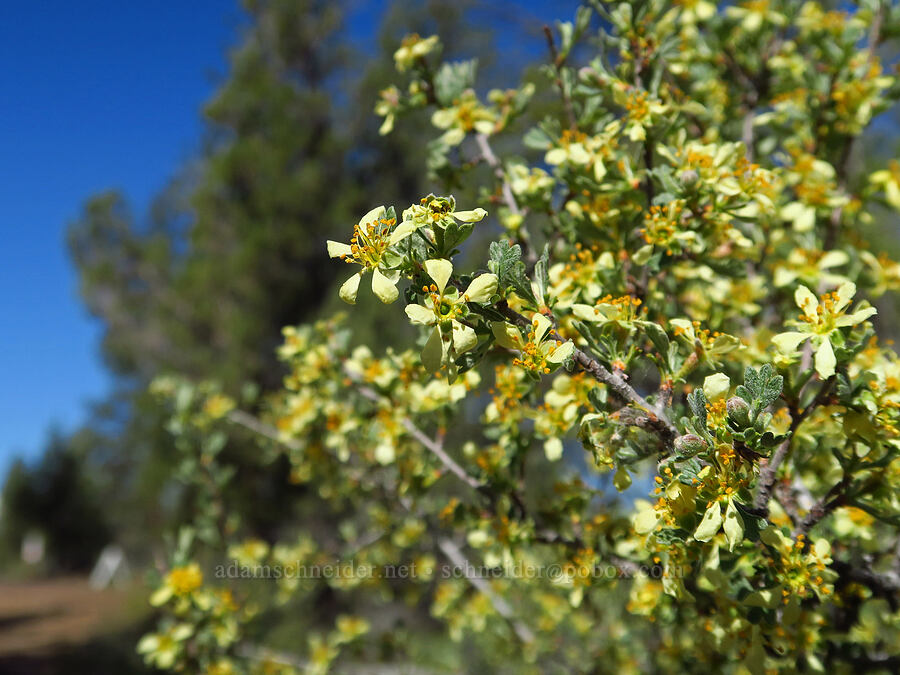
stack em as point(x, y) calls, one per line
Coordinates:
point(658, 229)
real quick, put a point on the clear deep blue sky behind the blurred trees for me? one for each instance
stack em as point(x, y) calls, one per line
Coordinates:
point(100, 95)
